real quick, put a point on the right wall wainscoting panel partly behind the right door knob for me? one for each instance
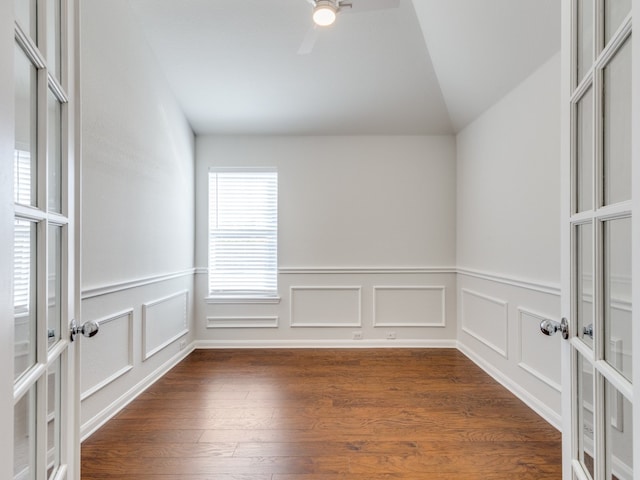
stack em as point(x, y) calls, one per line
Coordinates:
point(538, 354)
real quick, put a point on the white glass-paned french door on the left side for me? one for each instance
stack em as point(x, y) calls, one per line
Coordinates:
point(44, 275)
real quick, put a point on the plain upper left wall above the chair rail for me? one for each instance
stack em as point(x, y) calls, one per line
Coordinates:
point(138, 156)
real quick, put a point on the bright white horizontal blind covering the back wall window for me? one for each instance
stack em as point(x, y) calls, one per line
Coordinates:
point(243, 233)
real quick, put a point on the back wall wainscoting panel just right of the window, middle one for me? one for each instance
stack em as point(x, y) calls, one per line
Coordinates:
point(336, 306)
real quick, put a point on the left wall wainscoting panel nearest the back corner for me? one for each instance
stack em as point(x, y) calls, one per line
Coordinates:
point(163, 321)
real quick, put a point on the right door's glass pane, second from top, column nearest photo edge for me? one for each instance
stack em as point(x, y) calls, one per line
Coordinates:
point(617, 126)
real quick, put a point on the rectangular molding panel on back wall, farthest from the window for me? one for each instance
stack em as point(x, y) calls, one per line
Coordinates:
point(409, 306)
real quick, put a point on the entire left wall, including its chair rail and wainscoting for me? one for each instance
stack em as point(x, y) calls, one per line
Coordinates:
point(137, 213)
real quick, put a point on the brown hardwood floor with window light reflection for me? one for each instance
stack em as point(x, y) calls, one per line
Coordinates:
point(325, 415)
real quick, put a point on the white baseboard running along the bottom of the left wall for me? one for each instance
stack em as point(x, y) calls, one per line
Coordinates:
point(125, 399)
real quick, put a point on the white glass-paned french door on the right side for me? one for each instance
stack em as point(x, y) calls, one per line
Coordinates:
point(600, 161)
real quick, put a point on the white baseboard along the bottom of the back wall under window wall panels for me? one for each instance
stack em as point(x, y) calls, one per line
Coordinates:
point(381, 343)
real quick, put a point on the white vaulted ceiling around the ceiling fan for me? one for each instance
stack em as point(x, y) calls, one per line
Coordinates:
point(235, 69)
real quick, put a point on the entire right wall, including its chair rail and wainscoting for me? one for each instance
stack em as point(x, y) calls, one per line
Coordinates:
point(508, 239)
